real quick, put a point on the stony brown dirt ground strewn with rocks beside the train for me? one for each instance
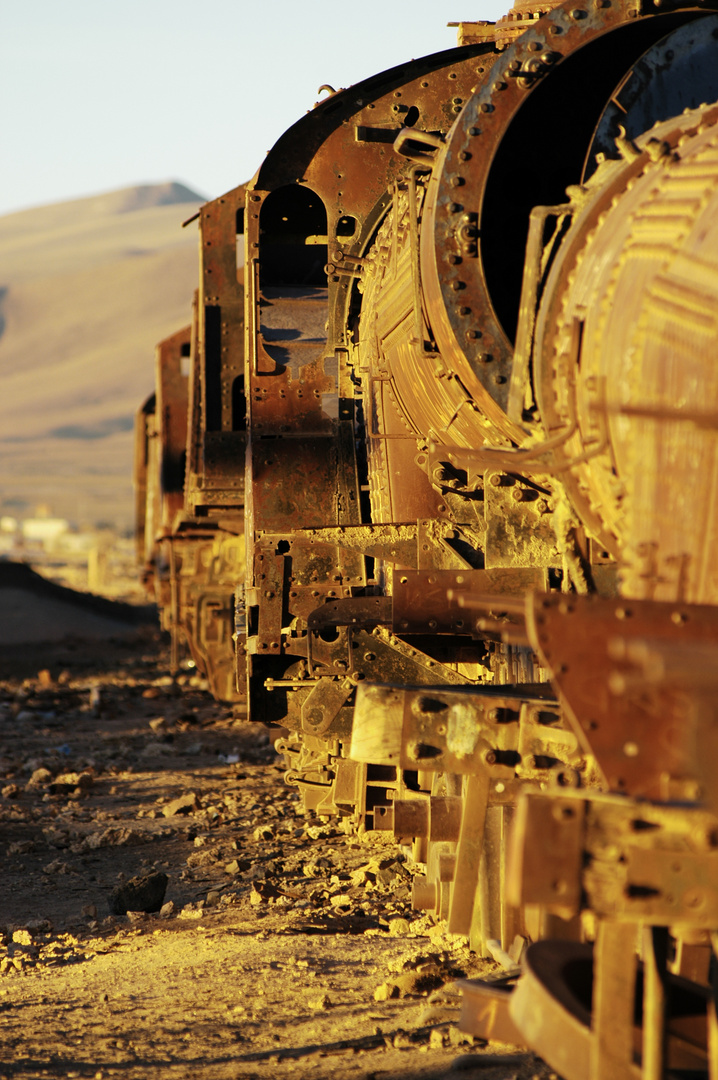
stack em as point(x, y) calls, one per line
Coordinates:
point(285, 947)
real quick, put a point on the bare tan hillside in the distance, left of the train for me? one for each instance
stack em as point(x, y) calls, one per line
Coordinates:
point(87, 290)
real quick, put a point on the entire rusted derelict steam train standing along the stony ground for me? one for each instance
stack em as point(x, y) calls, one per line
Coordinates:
point(451, 466)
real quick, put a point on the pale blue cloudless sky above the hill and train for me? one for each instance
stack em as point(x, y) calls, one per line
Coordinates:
point(101, 94)
